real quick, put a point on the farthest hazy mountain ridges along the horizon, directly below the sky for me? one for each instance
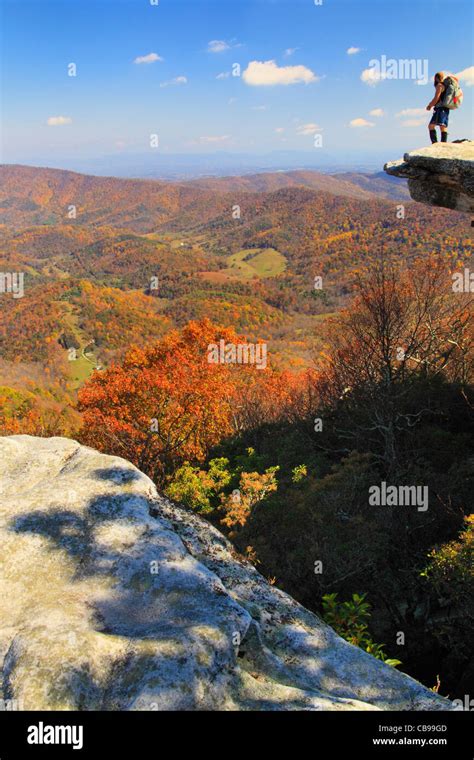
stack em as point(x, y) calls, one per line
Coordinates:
point(32, 195)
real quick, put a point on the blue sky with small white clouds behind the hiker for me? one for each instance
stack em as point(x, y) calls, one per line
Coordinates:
point(164, 69)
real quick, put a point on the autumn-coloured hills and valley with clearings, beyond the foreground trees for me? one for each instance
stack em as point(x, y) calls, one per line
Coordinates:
point(90, 246)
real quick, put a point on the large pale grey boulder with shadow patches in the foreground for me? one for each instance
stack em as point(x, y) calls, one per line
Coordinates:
point(113, 598)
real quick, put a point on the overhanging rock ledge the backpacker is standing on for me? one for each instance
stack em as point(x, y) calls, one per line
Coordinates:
point(440, 175)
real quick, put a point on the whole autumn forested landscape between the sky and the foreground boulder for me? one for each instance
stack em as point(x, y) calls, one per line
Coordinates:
point(369, 378)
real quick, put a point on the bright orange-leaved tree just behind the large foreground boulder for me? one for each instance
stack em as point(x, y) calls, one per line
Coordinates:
point(167, 404)
